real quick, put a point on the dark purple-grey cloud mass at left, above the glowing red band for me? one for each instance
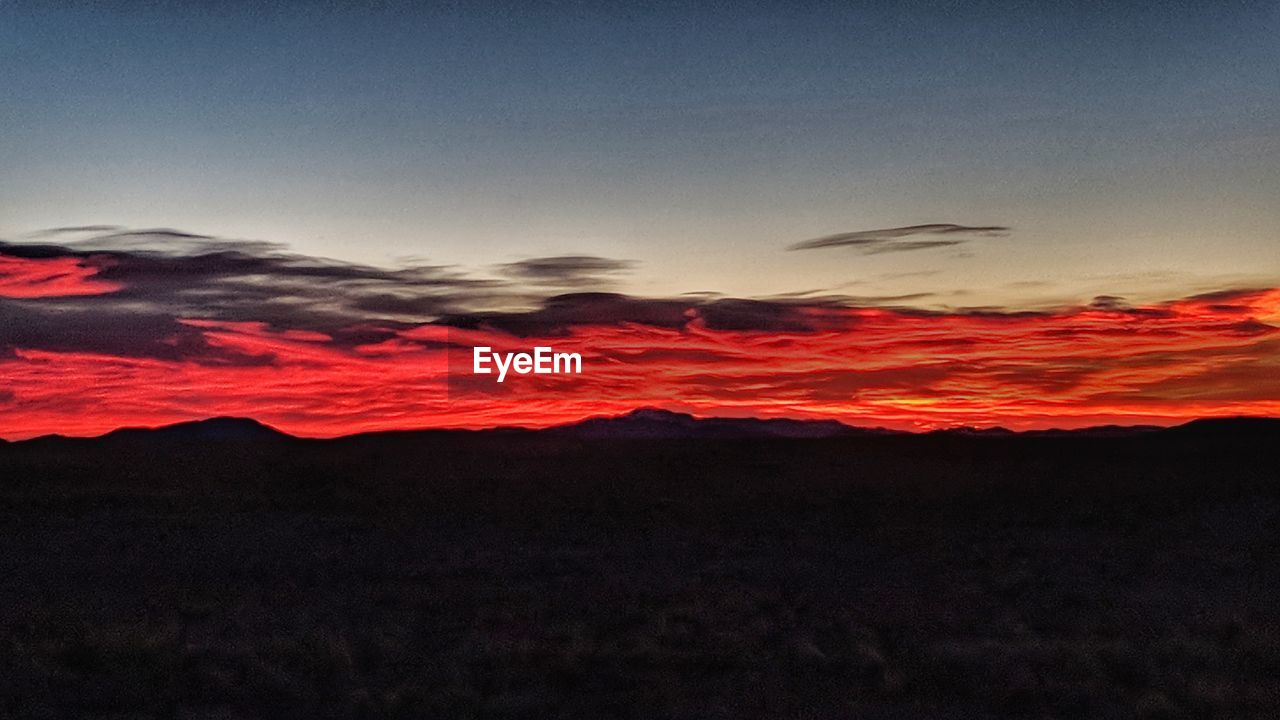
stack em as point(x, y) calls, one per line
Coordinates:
point(136, 286)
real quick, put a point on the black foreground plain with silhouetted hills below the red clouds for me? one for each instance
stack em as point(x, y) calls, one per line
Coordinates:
point(220, 571)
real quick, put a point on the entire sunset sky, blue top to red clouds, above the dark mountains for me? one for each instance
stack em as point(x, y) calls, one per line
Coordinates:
point(195, 198)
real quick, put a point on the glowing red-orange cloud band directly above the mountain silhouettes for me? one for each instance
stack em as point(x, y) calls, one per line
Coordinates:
point(1203, 357)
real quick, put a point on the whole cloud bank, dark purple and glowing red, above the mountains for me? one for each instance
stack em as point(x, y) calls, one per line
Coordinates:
point(125, 329)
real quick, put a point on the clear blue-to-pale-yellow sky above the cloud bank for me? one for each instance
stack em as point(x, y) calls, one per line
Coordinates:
point(1130, 151)
